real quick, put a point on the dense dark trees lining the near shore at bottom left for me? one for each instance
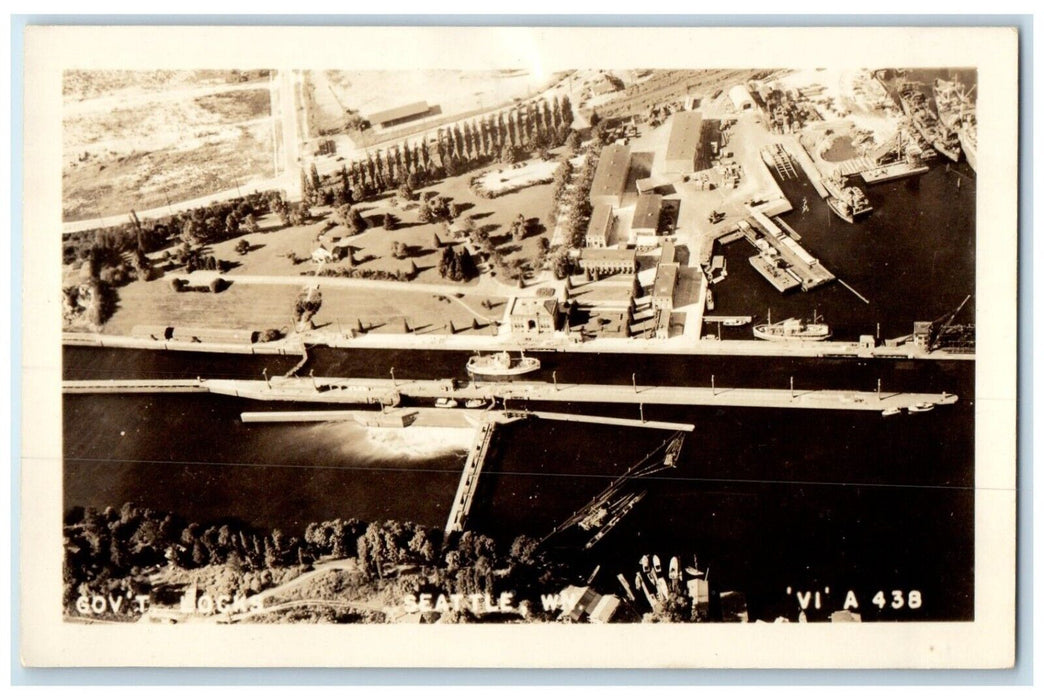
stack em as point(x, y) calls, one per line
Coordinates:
point(117, 551)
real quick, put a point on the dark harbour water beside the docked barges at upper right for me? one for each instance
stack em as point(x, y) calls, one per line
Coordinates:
point(913, 259)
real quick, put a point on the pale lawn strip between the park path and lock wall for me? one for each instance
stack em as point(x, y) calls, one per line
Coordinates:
point(263, 307)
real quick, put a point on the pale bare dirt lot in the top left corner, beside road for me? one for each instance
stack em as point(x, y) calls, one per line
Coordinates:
point(143, 139)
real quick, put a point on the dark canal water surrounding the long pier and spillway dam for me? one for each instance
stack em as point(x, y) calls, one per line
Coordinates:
point(768, 499)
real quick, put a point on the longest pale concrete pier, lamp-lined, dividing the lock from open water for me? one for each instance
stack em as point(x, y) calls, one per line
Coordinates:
point(371, 391)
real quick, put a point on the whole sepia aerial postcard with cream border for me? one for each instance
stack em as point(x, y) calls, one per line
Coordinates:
point(584, 340)
